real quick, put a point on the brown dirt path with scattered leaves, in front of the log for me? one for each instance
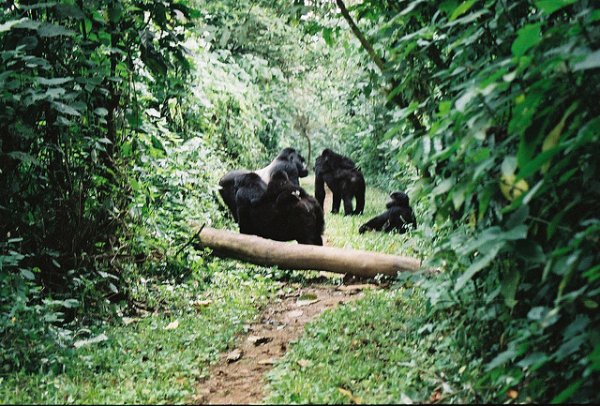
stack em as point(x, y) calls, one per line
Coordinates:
point(238, 377)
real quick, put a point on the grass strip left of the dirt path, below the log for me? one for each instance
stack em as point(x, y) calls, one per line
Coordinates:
point(153, 357)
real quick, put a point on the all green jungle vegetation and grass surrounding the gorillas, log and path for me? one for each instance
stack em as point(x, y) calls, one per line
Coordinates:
point(117, 118)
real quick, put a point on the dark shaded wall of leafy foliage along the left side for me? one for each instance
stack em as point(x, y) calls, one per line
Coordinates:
point(67, 90)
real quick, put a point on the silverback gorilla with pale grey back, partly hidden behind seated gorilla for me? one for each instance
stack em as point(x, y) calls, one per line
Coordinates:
point(288, 160)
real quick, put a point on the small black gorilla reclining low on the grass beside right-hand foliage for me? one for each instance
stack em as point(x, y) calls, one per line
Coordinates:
point(398, 216)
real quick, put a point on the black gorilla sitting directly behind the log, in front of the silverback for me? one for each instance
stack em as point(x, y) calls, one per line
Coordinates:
point(284, 212)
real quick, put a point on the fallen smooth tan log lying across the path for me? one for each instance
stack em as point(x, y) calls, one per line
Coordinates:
point(262, 251)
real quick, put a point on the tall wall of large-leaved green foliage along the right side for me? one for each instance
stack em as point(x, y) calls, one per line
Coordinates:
point(508, 132)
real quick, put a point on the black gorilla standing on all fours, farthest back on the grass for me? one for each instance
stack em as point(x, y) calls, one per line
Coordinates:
point(343, 178)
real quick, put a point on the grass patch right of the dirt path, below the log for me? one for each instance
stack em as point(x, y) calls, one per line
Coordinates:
point(383, 349)
